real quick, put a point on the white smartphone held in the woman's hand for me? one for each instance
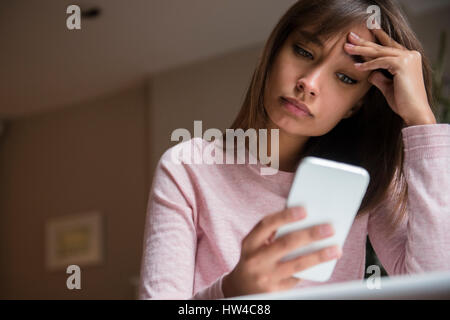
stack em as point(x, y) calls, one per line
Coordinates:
point(331, 192)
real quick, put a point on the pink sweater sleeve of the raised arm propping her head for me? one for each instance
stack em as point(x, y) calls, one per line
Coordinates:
point(421, 242)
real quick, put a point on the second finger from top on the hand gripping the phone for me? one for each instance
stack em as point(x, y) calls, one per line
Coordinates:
point(293, 240)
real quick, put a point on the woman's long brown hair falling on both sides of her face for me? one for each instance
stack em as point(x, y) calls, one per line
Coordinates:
point(370, 138)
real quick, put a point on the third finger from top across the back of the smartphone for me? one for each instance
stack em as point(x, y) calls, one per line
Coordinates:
point(290, 267)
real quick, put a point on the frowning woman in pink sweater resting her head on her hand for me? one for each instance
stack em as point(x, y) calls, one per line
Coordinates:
point(210, 228)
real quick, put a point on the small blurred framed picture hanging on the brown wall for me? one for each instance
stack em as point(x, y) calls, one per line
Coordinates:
point(75, 239)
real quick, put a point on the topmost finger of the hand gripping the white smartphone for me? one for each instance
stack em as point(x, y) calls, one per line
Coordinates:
point(268, 225)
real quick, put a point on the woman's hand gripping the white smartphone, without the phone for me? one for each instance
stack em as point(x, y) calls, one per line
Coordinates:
point(259, 269)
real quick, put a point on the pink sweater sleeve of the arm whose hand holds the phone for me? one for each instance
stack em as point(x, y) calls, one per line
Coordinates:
point(170, 237)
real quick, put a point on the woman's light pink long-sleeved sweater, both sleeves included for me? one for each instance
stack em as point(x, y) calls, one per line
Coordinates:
point(198, 214)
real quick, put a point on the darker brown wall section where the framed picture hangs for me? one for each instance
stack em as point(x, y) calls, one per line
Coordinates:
point(85, 157)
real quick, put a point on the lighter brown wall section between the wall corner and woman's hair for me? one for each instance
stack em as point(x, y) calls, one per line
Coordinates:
point(211, 90)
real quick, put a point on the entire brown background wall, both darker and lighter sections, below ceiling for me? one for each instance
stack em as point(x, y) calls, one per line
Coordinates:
point(101, 155)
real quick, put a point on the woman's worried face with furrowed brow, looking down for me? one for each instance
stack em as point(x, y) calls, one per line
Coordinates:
point(320, 75)
